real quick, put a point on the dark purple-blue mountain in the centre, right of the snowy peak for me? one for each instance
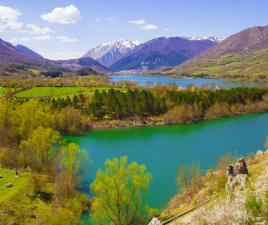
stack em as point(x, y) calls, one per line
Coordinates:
point(160, 53)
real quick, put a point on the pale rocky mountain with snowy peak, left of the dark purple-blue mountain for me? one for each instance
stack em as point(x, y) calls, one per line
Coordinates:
point(109, 53)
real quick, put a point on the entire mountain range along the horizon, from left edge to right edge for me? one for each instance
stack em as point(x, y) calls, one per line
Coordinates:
point(244, 54)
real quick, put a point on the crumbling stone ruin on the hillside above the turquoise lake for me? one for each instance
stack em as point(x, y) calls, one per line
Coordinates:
point(237, 175)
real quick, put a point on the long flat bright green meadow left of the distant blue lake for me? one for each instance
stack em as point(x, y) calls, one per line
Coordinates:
point(56, 91)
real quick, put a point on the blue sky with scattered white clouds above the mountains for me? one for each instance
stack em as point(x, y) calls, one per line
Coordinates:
point(61, 29)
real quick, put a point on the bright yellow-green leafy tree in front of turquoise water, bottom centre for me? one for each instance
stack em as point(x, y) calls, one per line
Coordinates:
point(119, 192)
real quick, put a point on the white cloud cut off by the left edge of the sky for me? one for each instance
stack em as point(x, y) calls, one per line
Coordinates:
point(9, 19)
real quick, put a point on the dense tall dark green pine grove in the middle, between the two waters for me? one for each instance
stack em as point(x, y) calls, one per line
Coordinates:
point(117, 104)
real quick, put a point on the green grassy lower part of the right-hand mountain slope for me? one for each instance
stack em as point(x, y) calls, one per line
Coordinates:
point(250, 65)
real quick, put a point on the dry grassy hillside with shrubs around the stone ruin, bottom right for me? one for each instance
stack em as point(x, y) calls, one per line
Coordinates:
point(223, 207)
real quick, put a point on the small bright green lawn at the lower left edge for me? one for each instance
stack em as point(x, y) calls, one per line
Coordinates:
point(9, 177)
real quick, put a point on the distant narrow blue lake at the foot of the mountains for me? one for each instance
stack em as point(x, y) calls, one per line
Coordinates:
point(144, 80)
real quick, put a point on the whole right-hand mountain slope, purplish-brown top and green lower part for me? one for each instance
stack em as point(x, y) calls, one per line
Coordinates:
point(244, 54)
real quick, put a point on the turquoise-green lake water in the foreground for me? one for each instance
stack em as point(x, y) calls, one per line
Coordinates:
point(162, 149)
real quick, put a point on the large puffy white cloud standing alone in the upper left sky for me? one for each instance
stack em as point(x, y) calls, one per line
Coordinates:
point(67, 15)
